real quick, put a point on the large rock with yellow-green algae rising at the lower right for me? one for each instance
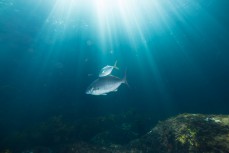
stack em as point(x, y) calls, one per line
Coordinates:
point(187, 133)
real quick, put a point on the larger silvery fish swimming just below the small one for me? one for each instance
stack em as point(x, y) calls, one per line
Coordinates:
point(105, 85)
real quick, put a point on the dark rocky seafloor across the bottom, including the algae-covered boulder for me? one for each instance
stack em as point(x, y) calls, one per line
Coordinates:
point(185, 133)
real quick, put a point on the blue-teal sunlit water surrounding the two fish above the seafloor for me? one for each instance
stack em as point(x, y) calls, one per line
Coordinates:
point(176, 55)
